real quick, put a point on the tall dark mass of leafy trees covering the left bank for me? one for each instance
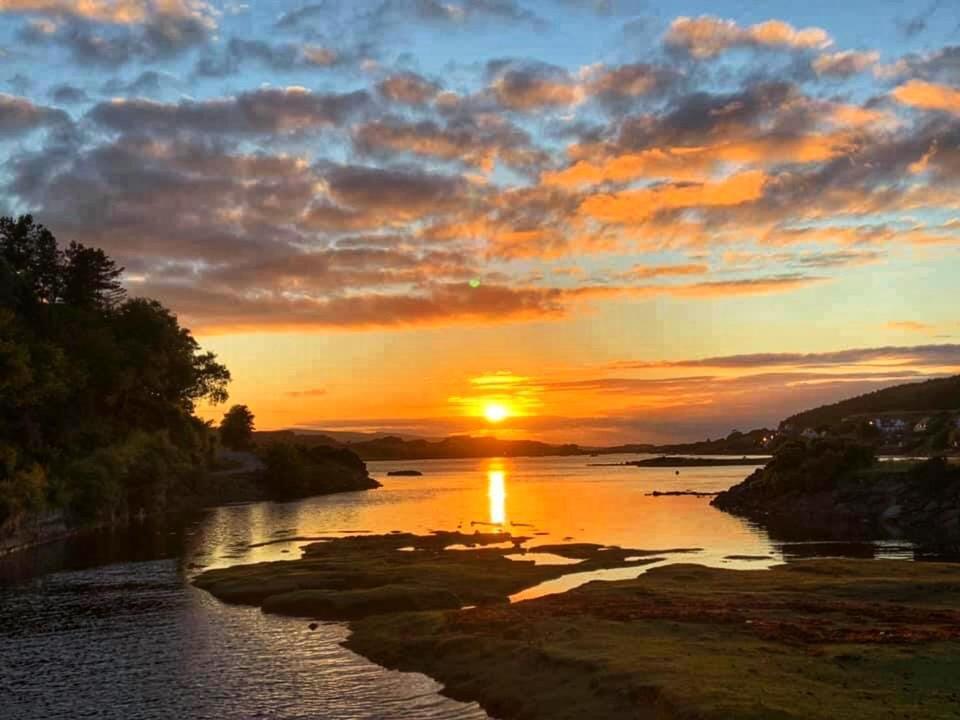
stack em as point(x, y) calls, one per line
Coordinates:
point(97, 389)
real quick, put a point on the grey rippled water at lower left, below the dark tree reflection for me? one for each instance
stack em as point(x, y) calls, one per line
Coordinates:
point(133, 641)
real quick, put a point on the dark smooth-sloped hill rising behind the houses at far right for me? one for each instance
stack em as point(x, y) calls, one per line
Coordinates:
point(942, 394)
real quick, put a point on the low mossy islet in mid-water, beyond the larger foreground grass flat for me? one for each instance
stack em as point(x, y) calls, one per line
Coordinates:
point(352, 577)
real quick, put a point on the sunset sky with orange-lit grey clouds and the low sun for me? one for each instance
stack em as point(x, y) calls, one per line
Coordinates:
point(594, 221)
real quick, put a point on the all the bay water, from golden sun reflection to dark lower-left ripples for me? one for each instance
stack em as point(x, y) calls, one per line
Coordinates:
point(108, 626)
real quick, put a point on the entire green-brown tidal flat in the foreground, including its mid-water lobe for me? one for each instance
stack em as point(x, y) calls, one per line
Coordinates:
point(815, 639)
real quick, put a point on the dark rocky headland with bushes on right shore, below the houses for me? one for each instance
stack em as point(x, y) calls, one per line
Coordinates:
point(838, 490)
